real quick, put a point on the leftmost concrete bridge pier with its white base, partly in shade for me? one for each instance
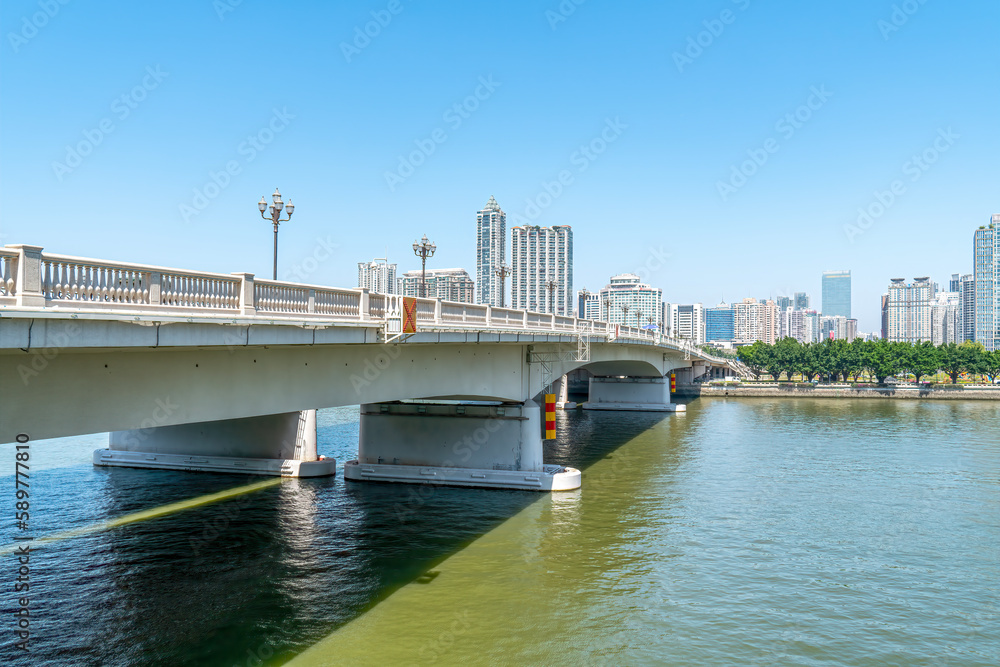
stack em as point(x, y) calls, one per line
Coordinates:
point(277, 445)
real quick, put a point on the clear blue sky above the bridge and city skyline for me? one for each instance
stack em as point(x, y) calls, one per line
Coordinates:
point(692, 91)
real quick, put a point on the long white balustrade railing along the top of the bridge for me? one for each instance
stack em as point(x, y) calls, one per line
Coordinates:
point(32, 278)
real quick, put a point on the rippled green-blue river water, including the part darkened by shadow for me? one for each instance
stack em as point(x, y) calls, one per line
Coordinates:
point(745, 531)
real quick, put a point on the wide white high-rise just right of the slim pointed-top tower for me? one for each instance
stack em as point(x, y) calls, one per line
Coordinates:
point(541, 276)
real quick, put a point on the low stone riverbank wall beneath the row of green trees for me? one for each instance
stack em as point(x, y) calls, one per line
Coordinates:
point(783, 390)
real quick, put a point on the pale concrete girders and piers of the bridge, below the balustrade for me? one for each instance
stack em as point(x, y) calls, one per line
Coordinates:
point(240, 399)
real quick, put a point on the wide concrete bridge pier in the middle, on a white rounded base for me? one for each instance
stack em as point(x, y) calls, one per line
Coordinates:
point(452, 444)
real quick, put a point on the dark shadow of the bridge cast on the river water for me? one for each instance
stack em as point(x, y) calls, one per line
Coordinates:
point(262, 575)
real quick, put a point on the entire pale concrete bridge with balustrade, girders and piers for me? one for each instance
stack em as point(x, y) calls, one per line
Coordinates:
point(192, 370)
